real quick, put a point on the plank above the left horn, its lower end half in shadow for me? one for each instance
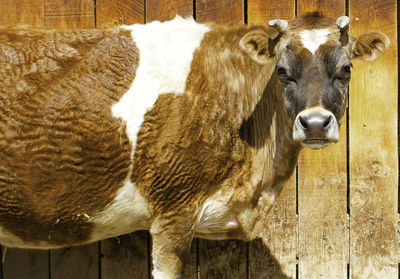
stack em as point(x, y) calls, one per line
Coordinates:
point(275, 256)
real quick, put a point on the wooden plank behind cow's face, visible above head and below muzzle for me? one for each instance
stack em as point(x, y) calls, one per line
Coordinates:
point(322, 193)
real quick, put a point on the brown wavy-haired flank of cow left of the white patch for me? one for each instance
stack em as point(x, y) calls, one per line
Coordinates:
point(63, 155)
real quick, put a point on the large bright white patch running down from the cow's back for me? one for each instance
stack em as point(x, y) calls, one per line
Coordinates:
point(166, 52)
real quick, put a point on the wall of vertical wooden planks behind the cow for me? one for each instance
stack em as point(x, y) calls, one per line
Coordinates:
point(338, 215)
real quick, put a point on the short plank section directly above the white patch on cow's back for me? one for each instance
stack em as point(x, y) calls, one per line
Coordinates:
point(167, 9)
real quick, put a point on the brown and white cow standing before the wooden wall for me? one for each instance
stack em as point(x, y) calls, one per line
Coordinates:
point(180, 128)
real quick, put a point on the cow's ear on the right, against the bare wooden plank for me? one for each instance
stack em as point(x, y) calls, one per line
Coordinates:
point(370, 45)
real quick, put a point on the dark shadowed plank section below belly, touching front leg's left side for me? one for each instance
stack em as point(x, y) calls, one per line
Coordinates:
point(125, 257)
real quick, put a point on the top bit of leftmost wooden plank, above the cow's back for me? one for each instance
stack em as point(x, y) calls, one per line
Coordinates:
point(22, 12)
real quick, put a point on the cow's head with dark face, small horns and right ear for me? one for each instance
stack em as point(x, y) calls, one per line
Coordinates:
point(314, 68)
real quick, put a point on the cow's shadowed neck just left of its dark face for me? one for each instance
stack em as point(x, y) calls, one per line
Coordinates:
point(268, 129)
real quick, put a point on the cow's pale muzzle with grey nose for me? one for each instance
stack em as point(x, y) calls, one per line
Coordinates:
point(316, 128)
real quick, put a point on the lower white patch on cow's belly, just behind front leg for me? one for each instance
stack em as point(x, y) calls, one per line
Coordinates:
point(126, 213)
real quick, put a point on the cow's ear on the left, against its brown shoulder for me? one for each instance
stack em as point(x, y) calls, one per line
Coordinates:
point(259, 44)
